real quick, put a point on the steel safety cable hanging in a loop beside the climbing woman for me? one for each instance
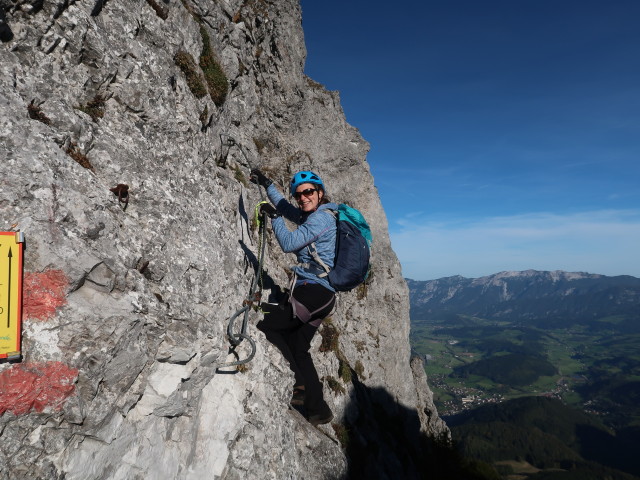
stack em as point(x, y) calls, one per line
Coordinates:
point(255, 292)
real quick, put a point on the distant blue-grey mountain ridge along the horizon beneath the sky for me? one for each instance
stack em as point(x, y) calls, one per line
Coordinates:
point(529, 295)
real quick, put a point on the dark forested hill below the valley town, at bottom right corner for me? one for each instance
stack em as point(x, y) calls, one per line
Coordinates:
point(545, 434)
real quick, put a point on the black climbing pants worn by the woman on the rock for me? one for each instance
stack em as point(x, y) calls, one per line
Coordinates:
point(293, 339)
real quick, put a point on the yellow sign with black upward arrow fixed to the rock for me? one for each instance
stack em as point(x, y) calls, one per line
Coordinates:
point(11, 246)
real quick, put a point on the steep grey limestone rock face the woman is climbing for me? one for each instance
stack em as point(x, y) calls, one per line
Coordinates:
point(91, 97)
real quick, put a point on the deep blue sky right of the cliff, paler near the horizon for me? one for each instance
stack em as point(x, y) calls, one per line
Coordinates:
point(505, 135)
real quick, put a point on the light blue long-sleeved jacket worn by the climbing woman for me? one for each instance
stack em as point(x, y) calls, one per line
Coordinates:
point(318, 227)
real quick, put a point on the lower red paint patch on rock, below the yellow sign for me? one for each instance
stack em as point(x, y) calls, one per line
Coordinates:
point(36, 386)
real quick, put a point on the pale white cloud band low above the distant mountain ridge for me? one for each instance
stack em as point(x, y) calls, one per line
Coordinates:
point(603, 241)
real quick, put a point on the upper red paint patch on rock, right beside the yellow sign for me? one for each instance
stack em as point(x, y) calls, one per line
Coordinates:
point(43, 294)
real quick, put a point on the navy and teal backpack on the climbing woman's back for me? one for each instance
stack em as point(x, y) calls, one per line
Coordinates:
point(353, 250)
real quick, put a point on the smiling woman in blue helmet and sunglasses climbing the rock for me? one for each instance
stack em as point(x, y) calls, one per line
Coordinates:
point(291, 326)
